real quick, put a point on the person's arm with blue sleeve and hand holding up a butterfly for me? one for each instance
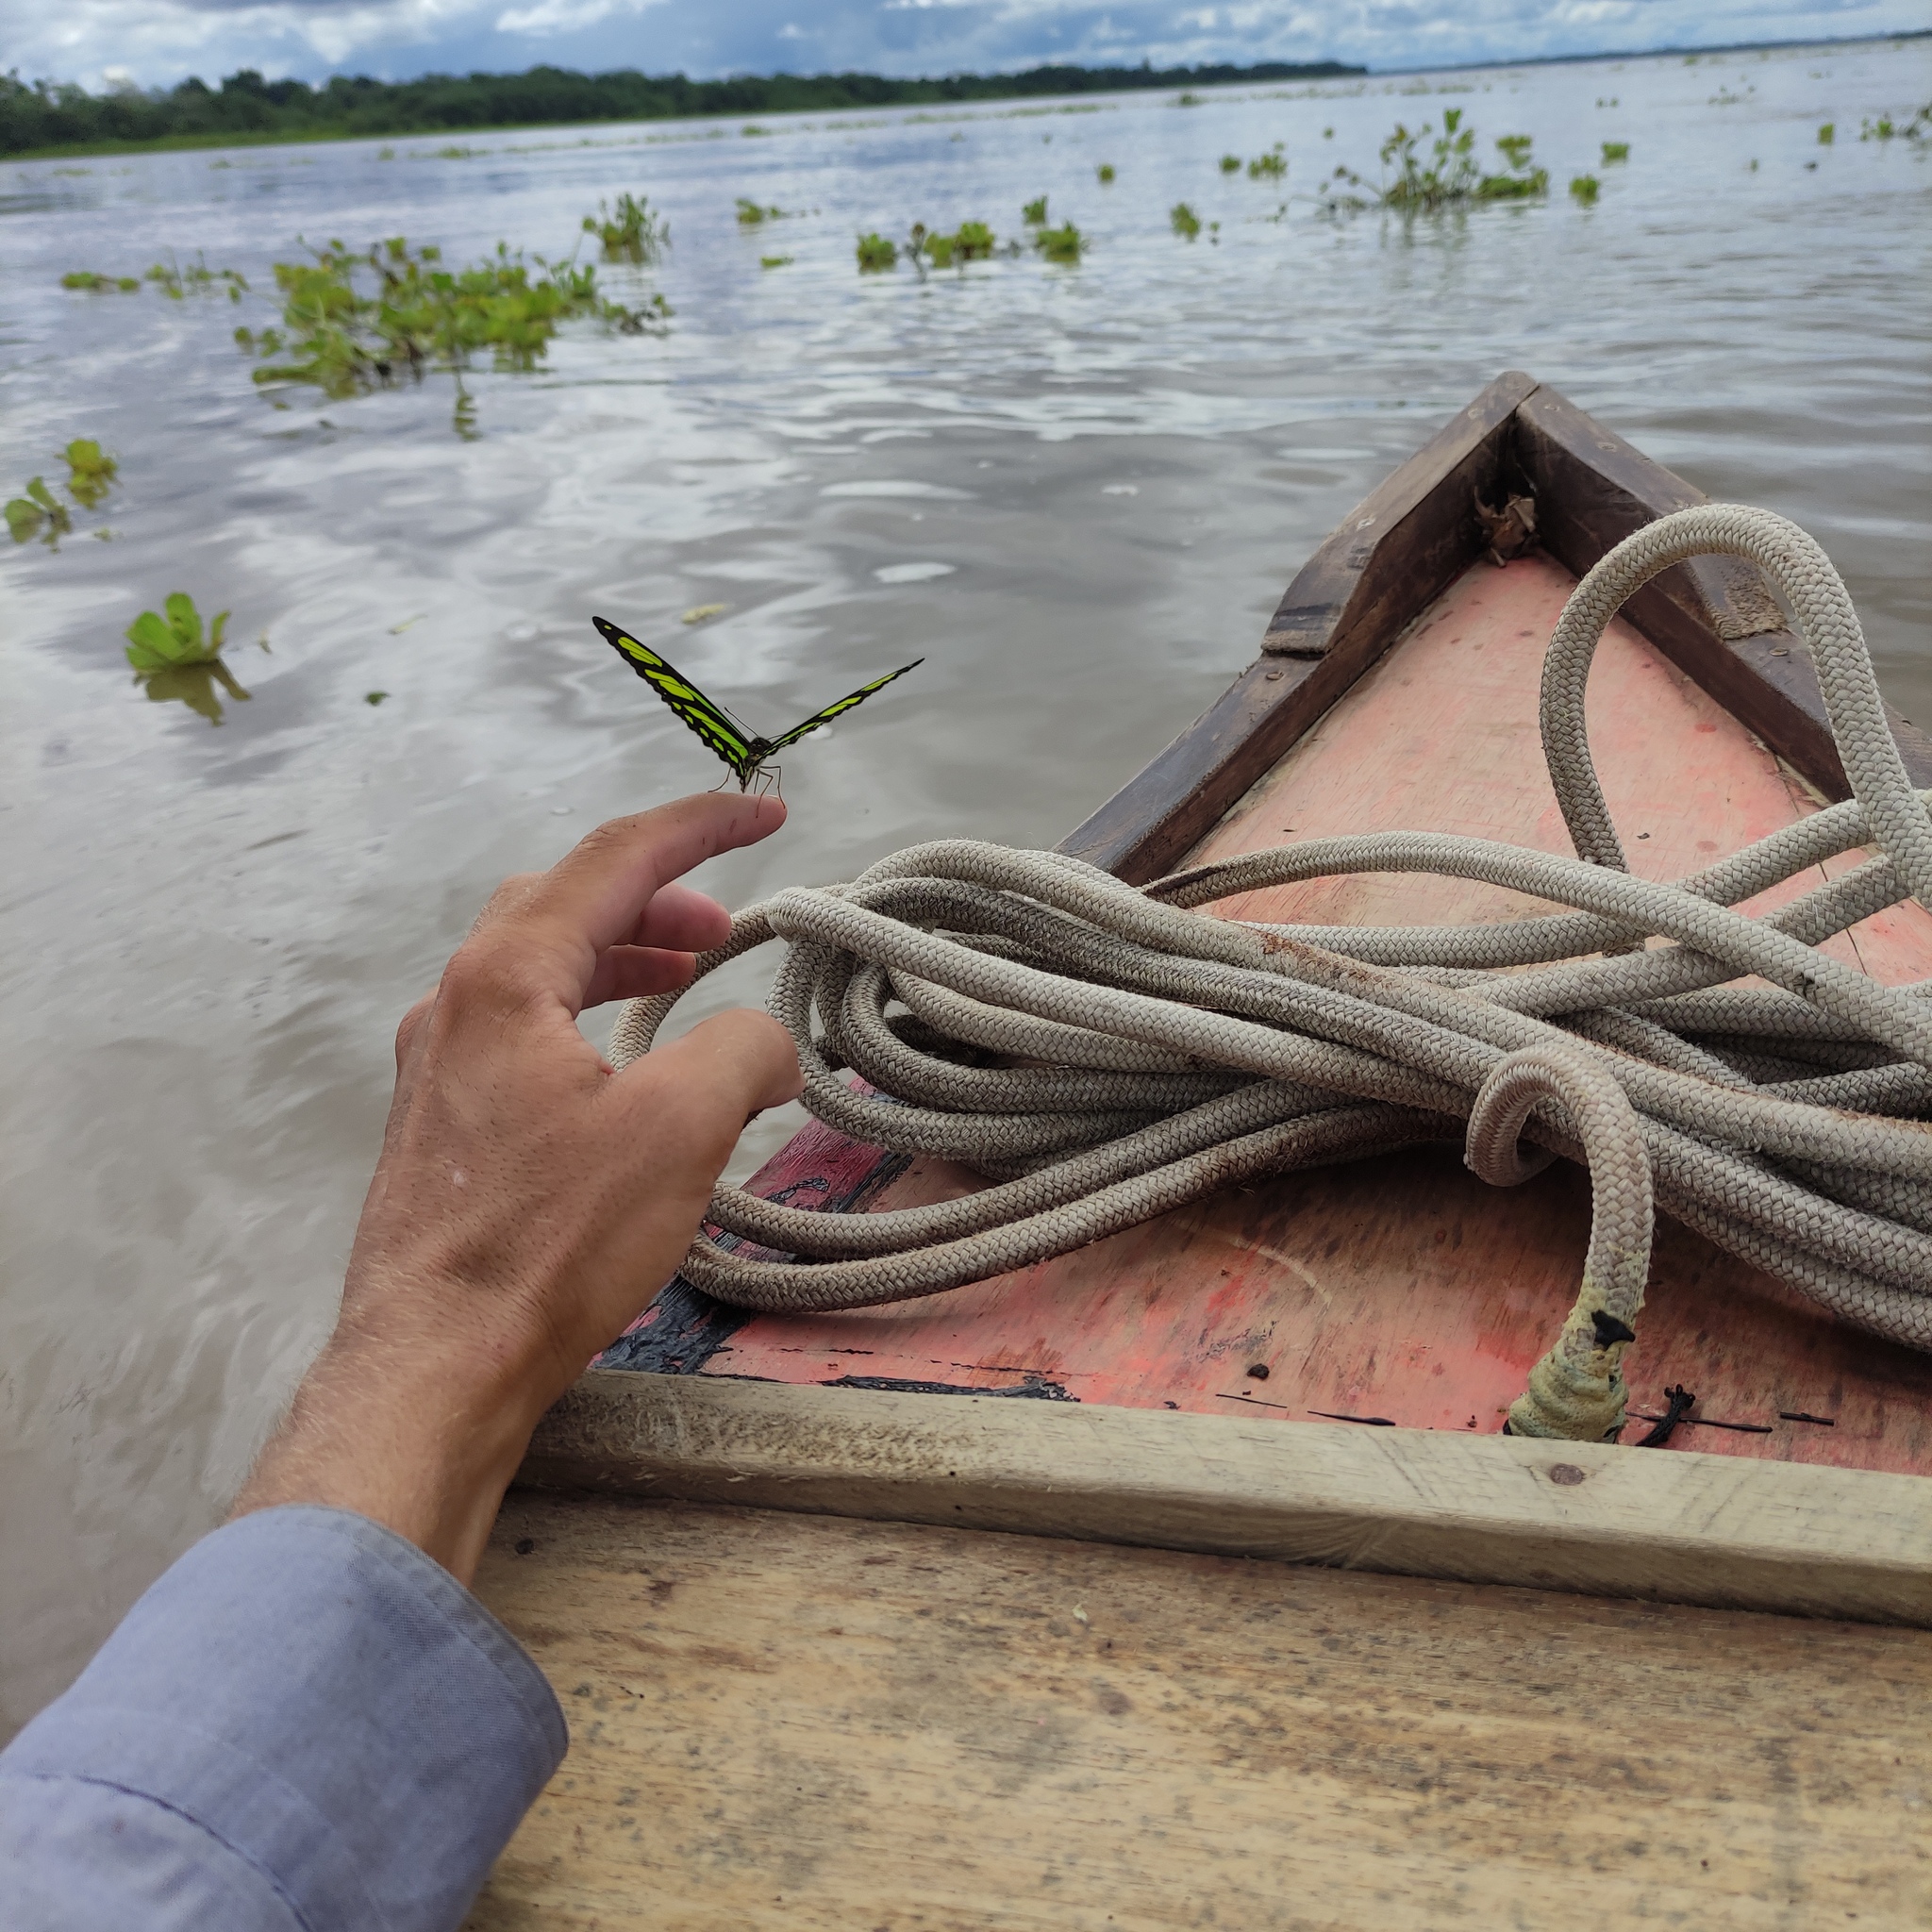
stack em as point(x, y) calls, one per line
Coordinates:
point(308, 1722)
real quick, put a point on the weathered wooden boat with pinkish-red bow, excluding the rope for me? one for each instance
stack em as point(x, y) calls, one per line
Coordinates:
point(1305, 1373)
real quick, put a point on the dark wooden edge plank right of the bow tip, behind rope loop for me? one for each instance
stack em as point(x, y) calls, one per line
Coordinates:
point(1713, 617)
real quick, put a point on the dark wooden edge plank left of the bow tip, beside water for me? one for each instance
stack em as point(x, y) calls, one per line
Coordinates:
point(1392, 555)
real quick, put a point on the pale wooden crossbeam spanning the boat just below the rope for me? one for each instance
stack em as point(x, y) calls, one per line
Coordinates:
point(1670, 1525)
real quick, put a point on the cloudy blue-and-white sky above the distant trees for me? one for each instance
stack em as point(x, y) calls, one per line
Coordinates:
point(161, 42)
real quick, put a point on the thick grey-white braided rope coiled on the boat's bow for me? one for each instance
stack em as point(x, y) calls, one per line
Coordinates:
point(1108, 1054)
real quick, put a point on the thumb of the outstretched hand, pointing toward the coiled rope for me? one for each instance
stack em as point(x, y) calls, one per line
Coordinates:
point(695, 1096)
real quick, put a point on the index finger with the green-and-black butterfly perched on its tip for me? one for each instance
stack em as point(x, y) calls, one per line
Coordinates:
point(596, 894)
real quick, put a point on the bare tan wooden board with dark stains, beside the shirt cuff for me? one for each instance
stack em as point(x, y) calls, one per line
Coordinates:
point(830, 1726)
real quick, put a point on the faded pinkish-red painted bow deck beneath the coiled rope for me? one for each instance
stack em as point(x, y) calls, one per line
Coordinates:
point(1406, 1290)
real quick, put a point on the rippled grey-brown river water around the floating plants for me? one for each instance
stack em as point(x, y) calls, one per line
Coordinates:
point(1075, 492)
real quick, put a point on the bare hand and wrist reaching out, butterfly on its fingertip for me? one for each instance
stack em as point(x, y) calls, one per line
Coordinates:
point(528, 1201)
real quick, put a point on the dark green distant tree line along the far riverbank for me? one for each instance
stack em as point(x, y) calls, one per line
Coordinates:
point(246, 107)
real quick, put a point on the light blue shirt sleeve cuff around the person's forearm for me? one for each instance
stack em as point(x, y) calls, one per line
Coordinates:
point(304, 1726)
